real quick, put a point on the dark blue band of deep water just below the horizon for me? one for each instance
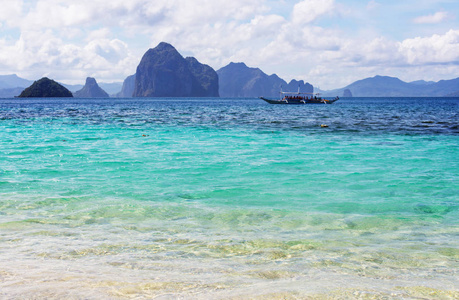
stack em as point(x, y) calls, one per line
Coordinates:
point(360, 115)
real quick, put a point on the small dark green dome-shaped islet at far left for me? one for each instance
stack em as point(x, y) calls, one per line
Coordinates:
point(45, 87)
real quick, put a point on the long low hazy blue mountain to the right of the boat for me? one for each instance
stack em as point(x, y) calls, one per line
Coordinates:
point(385, 86)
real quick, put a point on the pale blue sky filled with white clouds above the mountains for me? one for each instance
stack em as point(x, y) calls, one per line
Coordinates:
point(328, 43)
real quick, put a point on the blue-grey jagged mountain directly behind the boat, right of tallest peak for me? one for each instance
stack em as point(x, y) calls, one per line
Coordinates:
point(238, 80)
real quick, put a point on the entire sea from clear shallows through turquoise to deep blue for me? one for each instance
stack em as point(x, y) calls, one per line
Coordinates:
point(214, 198)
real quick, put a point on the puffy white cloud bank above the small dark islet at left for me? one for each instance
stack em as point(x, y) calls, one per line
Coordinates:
point(51, 56)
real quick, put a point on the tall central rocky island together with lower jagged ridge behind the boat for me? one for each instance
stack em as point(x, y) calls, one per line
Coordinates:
point(163, 72)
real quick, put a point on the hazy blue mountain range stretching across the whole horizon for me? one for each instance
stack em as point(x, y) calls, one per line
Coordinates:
point(163, 72)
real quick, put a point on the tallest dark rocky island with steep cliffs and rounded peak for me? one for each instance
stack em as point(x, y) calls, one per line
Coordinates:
point(163, 72)
